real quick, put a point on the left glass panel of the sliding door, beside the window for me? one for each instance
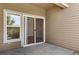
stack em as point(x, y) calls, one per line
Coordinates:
point(30, 30)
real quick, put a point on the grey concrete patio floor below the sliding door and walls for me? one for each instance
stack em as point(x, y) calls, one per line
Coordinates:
point(42, 49)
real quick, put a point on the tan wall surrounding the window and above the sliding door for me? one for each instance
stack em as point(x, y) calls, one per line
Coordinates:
point(20, 8)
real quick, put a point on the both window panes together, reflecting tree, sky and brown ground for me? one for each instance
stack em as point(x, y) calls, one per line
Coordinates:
point(13, 26)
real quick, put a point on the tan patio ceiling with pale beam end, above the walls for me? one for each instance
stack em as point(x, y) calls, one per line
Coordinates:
point(43, 5)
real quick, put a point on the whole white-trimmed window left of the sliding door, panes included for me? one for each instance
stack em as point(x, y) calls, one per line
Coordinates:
point(12, 26)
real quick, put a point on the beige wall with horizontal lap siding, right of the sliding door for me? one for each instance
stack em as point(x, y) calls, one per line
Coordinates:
point(62, 26)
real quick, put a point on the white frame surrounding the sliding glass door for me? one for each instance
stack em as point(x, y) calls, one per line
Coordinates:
point(24, 26)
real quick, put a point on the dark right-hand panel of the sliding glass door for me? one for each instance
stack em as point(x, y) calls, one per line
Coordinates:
point(39, 30)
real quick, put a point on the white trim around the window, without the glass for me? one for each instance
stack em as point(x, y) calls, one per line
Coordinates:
point(5, 11)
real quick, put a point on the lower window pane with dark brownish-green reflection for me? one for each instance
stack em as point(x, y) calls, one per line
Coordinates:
point(13, 33)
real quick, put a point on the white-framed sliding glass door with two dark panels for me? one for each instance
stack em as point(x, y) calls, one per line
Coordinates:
point(33, 30)
